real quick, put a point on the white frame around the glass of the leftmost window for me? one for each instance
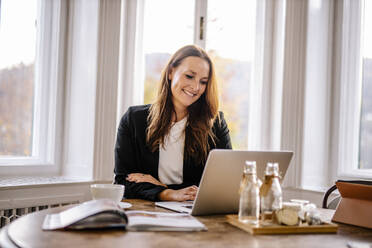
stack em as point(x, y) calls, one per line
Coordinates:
point(49, 75)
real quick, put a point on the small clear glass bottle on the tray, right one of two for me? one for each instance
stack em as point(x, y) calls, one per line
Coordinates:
point(271, 191)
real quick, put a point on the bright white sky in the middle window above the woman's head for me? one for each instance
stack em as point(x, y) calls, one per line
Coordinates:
point(165, 31)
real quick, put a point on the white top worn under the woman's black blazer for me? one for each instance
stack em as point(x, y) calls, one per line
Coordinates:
point(171, 155)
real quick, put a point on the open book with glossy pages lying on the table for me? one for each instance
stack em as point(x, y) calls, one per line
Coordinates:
point(97, 214)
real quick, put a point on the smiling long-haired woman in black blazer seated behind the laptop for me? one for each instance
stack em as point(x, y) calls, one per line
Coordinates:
point(161, 148)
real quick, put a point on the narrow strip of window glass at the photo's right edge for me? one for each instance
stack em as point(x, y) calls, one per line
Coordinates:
point(365, 140)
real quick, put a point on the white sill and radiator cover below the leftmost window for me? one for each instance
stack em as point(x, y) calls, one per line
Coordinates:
point(26, 194)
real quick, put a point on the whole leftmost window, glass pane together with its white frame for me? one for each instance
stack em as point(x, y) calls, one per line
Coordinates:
point(29, 90)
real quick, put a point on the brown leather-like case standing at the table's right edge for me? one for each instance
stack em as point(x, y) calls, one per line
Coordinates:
point(355, 207)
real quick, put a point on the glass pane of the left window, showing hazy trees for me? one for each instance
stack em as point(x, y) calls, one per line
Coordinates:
point(17, 76)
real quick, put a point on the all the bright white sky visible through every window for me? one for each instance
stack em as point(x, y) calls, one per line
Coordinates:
point(164, 30)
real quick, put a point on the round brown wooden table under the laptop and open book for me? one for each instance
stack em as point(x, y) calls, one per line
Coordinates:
point(26, 232)
